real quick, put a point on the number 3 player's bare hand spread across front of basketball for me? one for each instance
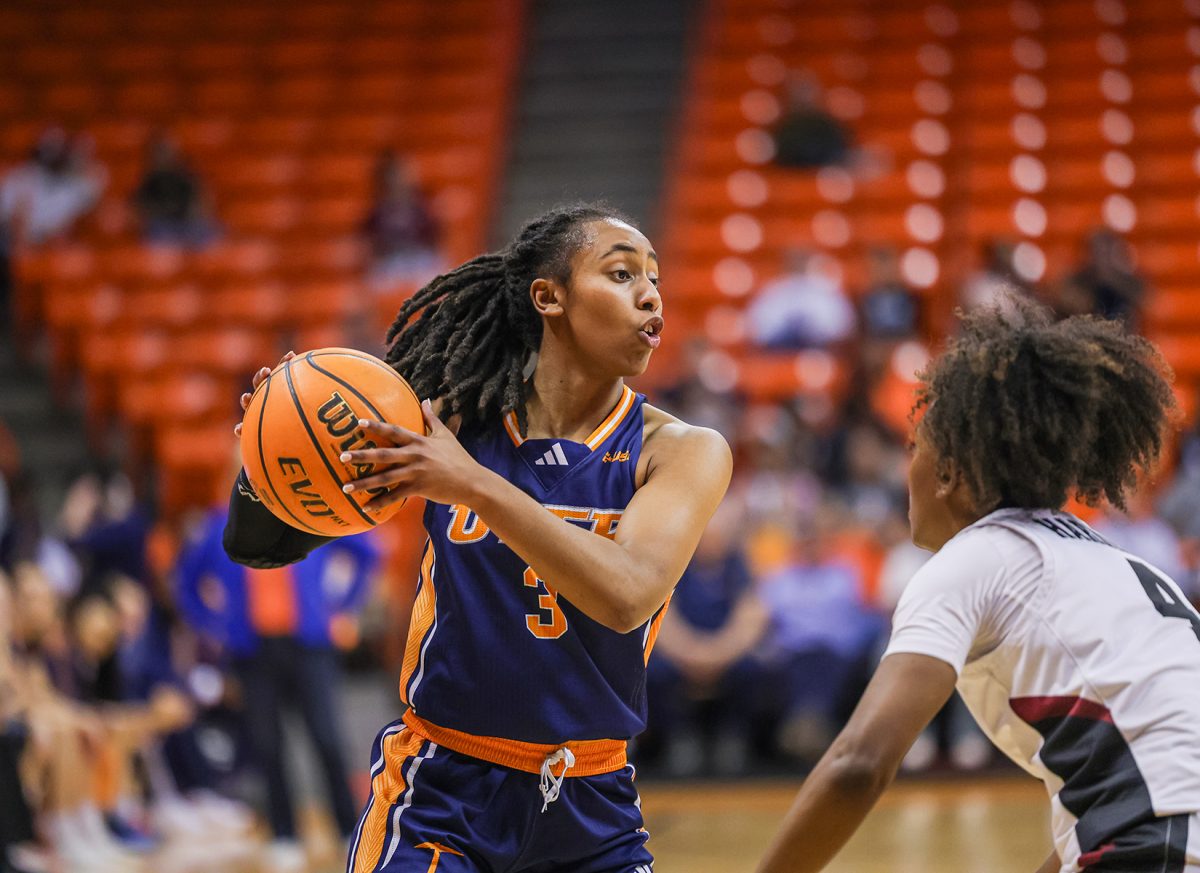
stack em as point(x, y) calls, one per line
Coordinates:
point(434, 466)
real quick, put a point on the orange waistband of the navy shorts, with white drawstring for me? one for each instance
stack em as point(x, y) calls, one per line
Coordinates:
point(592, 757)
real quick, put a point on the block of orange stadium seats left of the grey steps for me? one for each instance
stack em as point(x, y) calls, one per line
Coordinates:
point(283, 112)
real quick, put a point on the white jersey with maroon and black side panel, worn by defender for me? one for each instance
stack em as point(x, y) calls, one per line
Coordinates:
point(1083, 665)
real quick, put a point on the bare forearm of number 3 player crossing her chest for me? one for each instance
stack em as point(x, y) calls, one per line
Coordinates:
point(593, 573)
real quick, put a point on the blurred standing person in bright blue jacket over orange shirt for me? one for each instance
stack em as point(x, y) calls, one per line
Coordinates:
point(278, 628)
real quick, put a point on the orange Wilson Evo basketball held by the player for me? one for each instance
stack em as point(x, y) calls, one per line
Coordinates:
point(299, 423)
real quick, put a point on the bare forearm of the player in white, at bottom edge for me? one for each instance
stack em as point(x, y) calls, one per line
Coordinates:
point(831, 806)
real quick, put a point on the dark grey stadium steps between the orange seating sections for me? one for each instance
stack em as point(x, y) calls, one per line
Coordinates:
point(599, 93)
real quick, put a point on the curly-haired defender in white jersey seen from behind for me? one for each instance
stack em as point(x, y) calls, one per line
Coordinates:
point(1081, 661)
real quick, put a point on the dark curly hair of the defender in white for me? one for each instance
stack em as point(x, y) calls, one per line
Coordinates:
point(1034, 411)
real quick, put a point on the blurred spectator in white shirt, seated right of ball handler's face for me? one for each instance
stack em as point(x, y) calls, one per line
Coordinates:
point(806, 308)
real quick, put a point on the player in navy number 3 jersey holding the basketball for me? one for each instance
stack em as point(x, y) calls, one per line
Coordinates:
point(562, 510)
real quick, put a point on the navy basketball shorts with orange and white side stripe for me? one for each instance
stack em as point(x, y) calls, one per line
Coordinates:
point(436, 811)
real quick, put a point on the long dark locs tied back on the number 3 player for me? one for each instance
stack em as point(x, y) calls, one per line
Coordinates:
point(467, 335)
